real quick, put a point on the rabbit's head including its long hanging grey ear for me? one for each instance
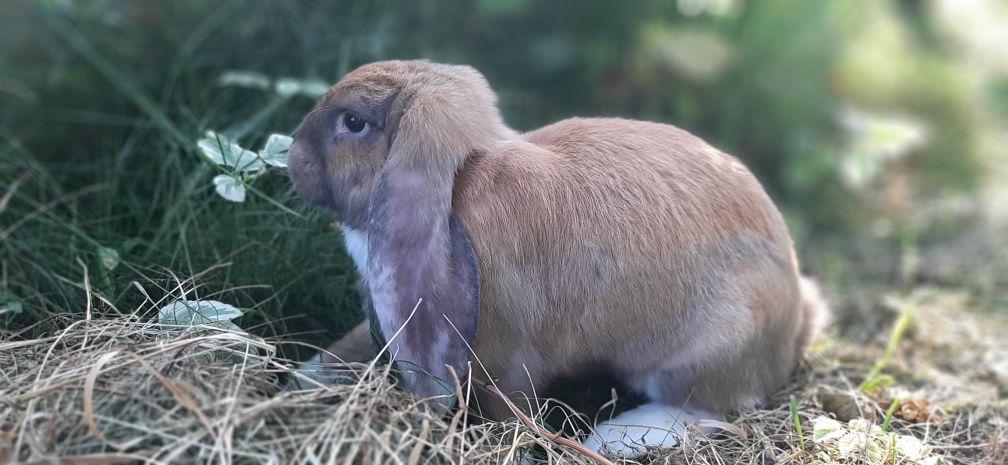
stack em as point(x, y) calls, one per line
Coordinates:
point(383, 149)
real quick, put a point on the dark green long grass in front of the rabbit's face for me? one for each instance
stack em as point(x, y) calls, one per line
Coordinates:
point(119, 170)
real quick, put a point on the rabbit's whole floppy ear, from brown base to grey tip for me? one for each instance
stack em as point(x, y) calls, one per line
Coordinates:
point(422, 271)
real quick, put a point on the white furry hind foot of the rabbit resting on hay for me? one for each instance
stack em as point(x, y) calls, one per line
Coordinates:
point(652, 425)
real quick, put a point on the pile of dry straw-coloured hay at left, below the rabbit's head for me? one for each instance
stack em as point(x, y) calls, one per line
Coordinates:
point(120, 391)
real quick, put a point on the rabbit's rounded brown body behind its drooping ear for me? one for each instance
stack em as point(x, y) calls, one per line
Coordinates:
point(602, 241)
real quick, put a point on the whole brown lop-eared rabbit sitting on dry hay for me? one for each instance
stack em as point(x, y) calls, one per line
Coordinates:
point(592, 243)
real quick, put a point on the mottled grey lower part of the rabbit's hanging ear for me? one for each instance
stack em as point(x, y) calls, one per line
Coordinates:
point(420, 258)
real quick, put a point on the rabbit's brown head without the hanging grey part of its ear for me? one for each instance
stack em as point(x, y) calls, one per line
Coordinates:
point(385, 120)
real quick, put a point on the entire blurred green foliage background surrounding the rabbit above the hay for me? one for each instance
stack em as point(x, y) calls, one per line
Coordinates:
point(114, 93)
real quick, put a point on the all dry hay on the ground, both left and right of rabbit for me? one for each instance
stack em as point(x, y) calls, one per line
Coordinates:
point(123, 391)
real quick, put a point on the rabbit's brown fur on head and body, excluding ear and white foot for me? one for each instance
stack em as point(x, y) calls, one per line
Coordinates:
point(600, 243)
